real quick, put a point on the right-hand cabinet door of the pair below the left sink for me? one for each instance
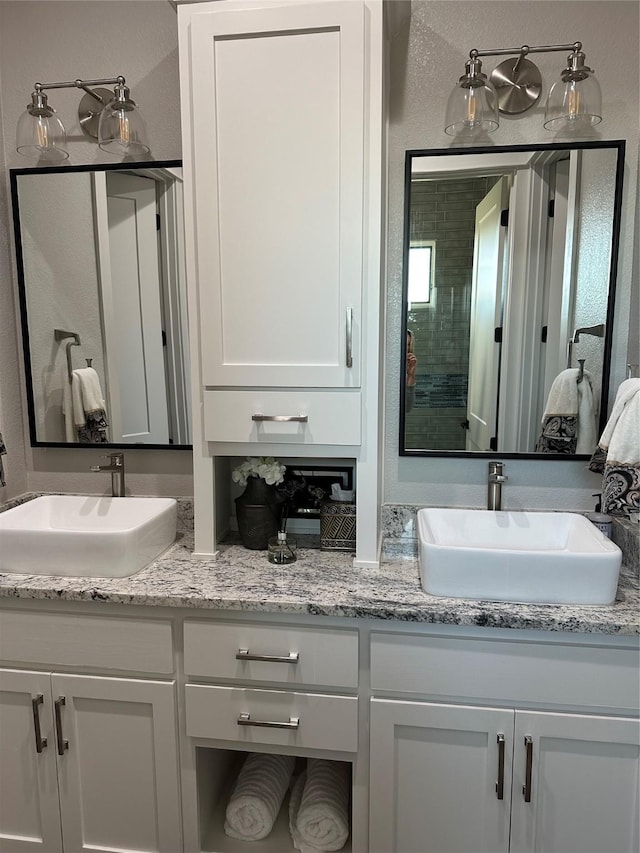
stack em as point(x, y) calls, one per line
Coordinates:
point(118, 773)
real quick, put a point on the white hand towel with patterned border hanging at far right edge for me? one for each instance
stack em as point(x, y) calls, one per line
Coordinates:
point(617, 456)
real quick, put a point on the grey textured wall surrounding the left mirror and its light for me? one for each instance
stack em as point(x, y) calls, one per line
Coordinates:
point(51, 40)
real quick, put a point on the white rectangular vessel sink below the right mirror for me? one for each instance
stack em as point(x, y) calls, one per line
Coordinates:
point(540, 557)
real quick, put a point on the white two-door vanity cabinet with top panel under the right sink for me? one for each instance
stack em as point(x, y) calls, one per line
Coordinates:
point(467, 766)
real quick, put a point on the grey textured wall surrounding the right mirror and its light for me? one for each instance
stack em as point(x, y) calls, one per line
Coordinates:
point(426, 61)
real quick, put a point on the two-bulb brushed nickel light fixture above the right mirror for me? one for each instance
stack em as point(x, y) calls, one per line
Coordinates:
point(574, 102)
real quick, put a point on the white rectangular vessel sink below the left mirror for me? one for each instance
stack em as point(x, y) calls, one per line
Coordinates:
point(85, 536)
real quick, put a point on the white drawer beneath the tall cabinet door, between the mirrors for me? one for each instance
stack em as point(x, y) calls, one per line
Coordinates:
point(331, 417)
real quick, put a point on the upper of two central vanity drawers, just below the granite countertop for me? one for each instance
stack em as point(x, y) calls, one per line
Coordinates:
point(325, 657)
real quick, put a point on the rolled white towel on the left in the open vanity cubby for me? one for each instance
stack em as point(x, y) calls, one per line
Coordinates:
point(257, 796)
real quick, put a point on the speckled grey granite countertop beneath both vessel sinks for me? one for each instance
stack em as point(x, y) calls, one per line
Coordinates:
point(323, 584)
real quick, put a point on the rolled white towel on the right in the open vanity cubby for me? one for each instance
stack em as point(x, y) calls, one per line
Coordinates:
point(319, 806)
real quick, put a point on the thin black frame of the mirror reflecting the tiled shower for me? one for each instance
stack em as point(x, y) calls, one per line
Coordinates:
point(618, 145)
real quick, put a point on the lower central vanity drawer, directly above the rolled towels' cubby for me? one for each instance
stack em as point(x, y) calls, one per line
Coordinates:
point(313, 721)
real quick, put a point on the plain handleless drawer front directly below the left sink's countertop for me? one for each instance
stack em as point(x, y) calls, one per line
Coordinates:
point(104, 642)
